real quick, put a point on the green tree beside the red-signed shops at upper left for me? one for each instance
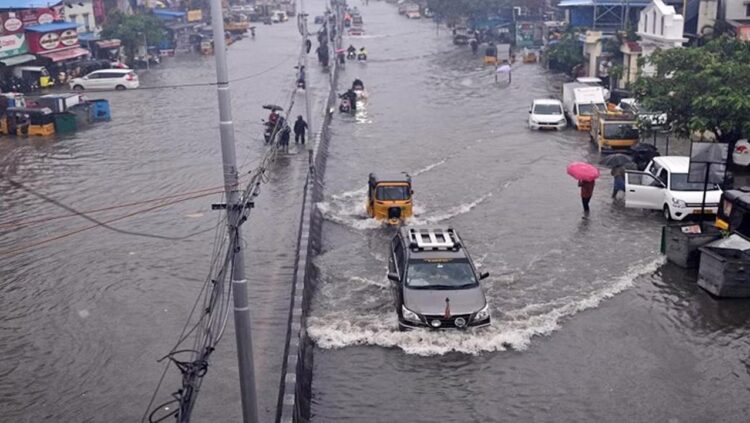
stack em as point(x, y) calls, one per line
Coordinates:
point(132, 30)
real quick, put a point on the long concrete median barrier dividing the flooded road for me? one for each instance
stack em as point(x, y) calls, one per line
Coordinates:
point(295, 392)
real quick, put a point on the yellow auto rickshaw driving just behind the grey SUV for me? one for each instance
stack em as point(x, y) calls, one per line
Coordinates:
point(389, 197)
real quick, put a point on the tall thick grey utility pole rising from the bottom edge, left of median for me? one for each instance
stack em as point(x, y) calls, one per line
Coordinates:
point(234, 212)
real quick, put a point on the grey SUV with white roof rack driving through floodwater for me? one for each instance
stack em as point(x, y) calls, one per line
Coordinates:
point(434, 282)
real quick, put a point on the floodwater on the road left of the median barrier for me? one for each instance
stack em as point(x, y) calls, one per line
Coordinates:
point(86, 312)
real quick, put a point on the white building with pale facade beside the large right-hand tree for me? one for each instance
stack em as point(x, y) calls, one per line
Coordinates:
point(660, 27)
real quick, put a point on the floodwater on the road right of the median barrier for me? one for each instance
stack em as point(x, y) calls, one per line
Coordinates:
point(589, 322)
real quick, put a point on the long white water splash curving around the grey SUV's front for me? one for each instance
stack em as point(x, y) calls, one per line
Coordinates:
point(515, 330)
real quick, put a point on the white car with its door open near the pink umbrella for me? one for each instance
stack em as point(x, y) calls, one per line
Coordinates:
point(664, 186)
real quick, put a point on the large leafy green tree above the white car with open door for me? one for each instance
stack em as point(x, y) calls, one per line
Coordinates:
point(704, 88)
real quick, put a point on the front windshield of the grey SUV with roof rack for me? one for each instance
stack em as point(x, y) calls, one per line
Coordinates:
point(440, 274)
